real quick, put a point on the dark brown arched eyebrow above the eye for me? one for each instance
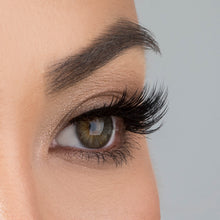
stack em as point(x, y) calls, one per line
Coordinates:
point(120, 36)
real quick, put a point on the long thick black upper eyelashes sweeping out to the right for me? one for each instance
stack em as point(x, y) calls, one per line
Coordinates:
point(140, 112)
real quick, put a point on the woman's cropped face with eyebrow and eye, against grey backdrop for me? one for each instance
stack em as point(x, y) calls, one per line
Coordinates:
point(55, 160)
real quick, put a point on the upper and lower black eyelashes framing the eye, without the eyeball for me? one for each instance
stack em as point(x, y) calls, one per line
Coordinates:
point(140, 113)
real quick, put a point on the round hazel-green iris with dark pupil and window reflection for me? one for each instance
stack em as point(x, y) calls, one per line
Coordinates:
point(94, 133)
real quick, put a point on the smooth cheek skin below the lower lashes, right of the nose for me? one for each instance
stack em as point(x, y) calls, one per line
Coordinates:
point(69, 191)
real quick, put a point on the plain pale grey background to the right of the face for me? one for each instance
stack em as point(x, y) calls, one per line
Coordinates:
point(186, 152)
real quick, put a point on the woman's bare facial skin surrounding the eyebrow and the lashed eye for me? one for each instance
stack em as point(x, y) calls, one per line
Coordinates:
point(33, 183)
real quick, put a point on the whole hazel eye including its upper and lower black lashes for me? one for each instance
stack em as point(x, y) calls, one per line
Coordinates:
point(104, 134)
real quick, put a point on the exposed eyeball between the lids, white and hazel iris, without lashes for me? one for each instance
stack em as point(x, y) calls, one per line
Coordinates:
point(89, 133)
